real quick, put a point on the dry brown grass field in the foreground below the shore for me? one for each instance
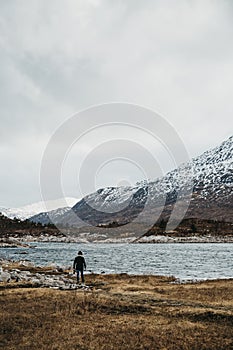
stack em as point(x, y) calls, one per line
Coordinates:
point(121, 312)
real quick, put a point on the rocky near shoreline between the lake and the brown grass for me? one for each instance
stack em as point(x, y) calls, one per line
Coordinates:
point(61, 277)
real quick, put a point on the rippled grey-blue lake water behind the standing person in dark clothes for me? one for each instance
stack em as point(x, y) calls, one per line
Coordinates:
point(194, 261)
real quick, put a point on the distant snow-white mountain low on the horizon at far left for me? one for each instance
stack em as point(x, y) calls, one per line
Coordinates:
point(30, 210)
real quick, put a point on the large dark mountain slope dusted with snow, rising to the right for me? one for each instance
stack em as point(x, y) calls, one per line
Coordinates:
point(207, 178)
